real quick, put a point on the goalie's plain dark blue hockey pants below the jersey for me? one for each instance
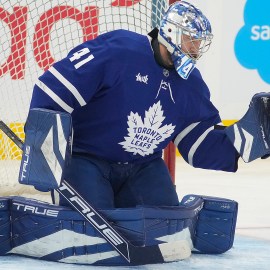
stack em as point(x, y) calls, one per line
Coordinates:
point(105, 184)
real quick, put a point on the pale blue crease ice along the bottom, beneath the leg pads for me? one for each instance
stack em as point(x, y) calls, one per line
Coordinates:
point(248, 253)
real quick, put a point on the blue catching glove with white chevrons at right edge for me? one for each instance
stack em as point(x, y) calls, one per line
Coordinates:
point(251, 135)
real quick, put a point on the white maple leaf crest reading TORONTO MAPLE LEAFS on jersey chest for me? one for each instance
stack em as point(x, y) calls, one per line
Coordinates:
point(144, 136)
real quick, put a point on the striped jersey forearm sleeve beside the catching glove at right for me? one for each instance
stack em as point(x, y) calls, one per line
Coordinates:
point(204, 146)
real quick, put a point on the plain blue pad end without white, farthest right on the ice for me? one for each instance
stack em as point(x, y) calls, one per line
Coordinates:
point(215, 227)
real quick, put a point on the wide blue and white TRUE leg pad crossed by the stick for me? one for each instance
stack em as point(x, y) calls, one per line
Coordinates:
point(58, 233)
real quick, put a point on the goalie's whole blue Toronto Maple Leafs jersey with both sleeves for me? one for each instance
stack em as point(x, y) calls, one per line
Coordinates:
point(127, 108)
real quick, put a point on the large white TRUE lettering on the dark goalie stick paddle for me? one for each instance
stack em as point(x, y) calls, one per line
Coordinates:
point(93, 218)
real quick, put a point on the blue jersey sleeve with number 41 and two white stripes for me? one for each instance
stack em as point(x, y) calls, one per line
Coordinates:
point(73, 81)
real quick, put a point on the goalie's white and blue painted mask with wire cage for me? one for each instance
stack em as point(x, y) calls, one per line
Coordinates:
point(187, 34)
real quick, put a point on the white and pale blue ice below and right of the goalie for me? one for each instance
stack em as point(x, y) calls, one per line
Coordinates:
point(250, 186)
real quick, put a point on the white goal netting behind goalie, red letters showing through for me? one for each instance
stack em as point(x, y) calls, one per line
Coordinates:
point(34, 34)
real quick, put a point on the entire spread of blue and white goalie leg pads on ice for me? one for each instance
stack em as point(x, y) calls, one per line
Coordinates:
point(57, 233)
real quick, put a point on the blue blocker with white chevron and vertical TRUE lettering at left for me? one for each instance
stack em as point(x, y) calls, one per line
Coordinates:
point(47, 148)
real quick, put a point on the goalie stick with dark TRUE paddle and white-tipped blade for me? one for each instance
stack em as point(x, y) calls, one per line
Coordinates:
point(135, 255)
